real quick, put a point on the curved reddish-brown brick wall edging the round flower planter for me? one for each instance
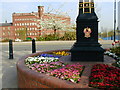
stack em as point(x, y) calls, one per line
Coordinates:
point(31, 79)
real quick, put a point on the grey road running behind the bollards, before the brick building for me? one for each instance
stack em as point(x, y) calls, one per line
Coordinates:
point(48, 45)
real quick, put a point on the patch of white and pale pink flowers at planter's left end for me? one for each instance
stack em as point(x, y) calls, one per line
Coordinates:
point(43, 64)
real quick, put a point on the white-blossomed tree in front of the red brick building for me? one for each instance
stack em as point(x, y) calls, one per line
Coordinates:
point(54, 22)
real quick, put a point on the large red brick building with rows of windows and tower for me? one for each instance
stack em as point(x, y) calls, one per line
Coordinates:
point(28, 25)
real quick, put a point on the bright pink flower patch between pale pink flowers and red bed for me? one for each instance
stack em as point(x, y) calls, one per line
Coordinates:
point(69, 72)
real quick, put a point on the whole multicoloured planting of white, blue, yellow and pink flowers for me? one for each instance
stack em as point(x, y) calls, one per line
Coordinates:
point(50, 65)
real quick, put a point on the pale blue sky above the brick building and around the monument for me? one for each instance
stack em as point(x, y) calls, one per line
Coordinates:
point(104, 9)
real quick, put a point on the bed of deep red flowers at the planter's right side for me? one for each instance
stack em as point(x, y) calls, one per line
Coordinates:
point(103, 77)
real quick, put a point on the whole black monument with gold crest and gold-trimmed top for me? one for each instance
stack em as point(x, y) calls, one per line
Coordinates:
point(87, 47)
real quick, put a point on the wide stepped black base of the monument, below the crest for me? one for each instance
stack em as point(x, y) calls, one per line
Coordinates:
point(89, 52)
